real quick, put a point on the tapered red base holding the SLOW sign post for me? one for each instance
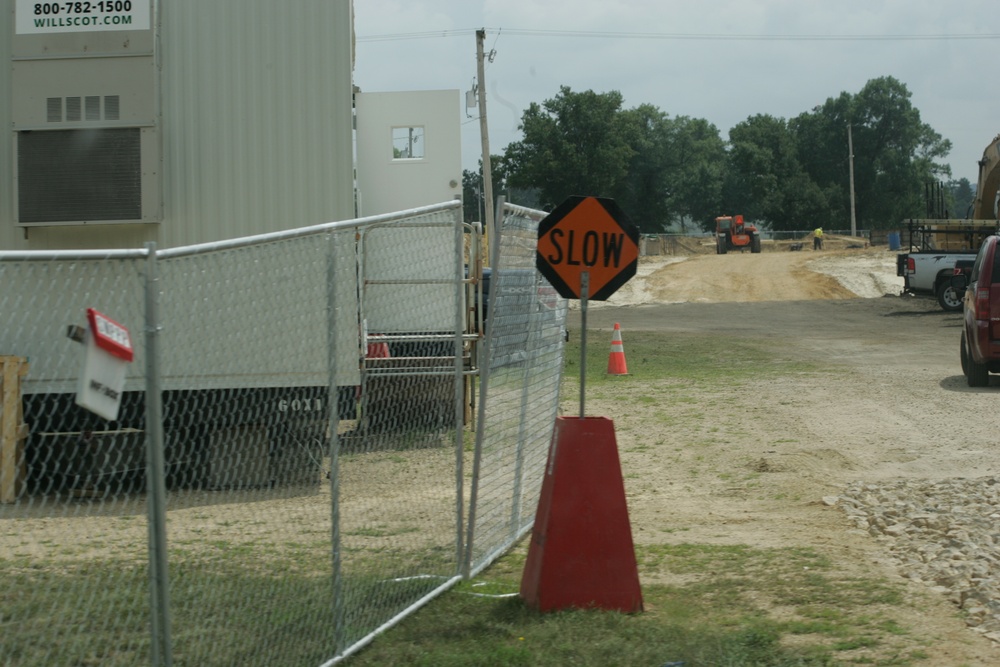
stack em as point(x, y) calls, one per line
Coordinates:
point(581, 552)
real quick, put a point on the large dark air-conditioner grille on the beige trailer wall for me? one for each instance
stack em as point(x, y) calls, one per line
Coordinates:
point(82, 175)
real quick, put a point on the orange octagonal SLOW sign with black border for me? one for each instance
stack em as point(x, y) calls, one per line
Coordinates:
point(587, 234)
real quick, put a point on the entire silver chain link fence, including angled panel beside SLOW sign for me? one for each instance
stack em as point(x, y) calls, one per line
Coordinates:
point(288, 473)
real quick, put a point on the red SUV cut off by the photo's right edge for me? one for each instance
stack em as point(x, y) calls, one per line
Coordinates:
point(980, 349)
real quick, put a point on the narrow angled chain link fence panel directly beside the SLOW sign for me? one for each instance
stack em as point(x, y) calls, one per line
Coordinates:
point(526, 333)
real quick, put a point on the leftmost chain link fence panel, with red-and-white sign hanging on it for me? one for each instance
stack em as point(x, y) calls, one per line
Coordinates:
point(73, 544)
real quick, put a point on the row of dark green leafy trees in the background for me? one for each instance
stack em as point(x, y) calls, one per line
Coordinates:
point(678, 173)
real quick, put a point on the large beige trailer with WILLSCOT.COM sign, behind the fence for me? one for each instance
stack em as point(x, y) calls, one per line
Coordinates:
point(194, 123)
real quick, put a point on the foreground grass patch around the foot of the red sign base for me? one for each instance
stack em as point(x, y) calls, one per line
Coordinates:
point(724, 614)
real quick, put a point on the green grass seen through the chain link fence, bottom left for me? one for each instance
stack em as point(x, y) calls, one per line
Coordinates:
point(228, 612)
